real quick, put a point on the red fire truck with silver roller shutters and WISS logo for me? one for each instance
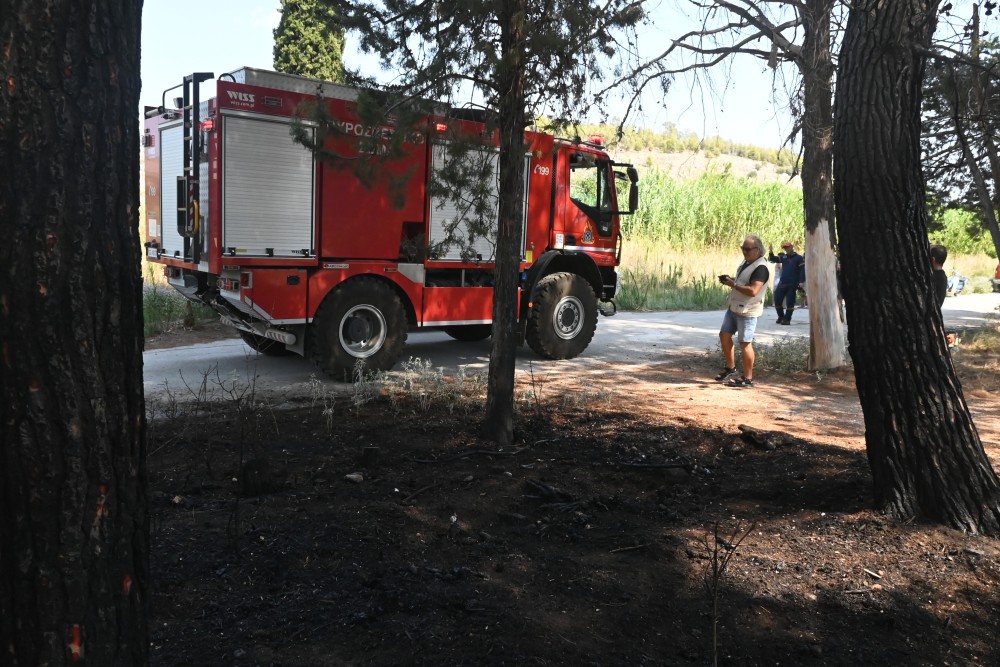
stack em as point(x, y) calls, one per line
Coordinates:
point(304, 256)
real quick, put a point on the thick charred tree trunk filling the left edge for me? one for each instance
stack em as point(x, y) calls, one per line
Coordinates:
point(73, 521)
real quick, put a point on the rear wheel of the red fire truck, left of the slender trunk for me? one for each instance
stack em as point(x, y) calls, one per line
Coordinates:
point(362, 320)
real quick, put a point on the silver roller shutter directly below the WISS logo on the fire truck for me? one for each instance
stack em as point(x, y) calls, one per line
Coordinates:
point(268, 193)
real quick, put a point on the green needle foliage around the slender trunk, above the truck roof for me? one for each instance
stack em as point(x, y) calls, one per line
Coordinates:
point(455, 50)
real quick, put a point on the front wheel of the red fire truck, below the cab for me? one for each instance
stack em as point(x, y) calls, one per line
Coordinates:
point(563, 317)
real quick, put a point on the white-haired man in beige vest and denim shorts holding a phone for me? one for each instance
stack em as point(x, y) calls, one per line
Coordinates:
point(744, 304)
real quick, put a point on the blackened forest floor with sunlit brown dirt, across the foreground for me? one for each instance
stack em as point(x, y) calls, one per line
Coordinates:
point(389, 533)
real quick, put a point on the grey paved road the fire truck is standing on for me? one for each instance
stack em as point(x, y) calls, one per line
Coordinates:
point(627, 338)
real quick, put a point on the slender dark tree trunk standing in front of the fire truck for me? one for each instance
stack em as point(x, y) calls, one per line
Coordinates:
point(499, 422)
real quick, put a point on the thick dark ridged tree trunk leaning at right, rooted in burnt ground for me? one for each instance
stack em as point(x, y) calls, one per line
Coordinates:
point(926, 458)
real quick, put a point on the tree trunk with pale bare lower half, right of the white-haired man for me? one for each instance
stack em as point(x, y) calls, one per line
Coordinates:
point(826, 340)
